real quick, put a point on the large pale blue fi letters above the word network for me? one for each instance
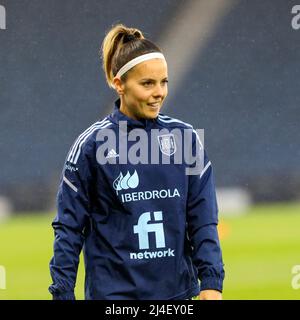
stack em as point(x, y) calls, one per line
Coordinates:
point(143, 228)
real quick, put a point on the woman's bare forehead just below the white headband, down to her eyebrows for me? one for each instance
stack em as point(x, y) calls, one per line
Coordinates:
point(154, 68)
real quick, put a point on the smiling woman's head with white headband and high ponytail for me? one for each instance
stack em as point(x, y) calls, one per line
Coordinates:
point(137, 70)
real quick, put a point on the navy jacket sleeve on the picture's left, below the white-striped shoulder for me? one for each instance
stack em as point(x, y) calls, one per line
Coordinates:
point(73, 203)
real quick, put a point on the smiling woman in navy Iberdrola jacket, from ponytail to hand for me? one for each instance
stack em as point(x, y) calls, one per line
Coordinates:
point(148, 231)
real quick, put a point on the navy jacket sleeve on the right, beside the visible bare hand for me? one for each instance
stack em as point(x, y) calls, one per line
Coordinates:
point(202, 221)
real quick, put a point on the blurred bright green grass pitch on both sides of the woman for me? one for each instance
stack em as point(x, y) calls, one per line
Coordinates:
point(259, 249)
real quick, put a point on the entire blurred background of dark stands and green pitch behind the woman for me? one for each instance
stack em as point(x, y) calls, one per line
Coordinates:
point(234, 70)
